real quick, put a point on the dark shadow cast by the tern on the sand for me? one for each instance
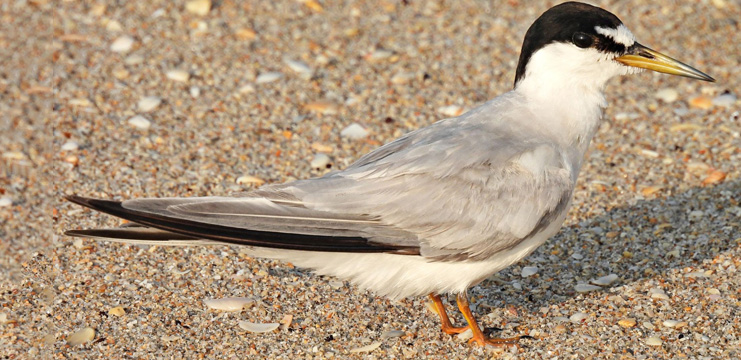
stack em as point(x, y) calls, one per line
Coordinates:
point(639, 241)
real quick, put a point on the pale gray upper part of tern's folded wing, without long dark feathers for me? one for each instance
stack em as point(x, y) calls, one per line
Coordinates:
point(467, 199)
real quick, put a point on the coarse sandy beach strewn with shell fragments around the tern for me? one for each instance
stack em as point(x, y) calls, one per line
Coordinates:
point(118, 100)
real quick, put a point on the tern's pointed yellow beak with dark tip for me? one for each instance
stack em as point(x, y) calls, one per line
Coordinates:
point(642, 57)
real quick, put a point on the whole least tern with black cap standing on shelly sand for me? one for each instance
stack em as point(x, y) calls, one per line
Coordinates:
point(441, 208)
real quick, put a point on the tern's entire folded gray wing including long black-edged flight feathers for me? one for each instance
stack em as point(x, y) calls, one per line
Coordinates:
point(460, 188)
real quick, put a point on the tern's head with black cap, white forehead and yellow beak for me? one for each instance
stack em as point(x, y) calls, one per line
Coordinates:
point(582, 44)
